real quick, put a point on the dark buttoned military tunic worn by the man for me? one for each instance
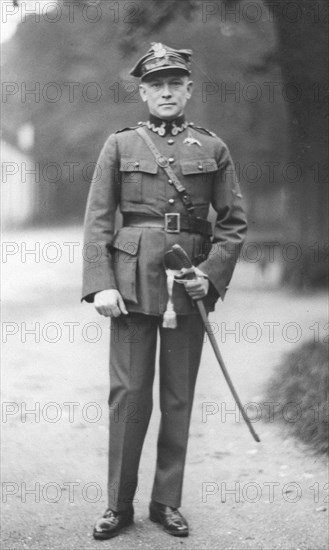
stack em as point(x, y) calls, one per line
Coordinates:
point(131, 259)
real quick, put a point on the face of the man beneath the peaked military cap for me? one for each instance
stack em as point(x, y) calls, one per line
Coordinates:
point(166, 93)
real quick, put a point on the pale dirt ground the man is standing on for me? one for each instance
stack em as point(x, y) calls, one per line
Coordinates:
point(237, 494)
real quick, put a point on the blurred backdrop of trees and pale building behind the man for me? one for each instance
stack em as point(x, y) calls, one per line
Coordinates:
point(260, 72)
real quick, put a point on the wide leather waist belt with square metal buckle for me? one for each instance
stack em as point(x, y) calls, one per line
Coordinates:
point(171, 223)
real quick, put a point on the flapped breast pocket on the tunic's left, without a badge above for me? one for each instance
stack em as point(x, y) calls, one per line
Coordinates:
point(135, 173)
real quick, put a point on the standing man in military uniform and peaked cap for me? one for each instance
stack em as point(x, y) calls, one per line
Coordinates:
point(125, 277)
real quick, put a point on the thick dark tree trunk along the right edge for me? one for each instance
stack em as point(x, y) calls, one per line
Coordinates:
point(303, 56)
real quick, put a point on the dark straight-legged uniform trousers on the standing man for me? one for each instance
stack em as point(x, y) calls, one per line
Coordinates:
point(132, 366)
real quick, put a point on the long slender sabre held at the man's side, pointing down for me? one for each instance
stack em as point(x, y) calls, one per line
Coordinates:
point(178, 260)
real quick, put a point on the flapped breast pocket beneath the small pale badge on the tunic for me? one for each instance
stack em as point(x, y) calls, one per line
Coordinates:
point(198, 177)
